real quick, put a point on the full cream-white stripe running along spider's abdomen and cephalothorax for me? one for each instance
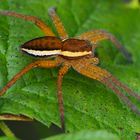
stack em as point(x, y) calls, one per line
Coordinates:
point(56, 52)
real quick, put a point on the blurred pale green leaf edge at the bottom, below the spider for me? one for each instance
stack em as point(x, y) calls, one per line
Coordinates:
point(86, 135)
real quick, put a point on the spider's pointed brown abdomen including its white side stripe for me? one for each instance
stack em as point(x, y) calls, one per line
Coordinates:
point(43, 46)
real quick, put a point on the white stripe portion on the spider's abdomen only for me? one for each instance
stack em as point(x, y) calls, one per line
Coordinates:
point(42, 52)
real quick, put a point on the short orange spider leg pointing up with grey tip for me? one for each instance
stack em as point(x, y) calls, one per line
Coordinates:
point(58, 24)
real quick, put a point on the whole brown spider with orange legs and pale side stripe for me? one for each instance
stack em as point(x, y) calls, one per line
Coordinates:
point(76, 53)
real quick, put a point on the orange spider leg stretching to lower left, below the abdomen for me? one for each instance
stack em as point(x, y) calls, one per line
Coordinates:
point(39, 63)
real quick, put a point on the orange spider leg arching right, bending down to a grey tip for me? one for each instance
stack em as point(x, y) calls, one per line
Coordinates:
point(98, 35)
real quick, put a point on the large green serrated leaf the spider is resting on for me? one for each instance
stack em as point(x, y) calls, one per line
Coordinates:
point(88, 104)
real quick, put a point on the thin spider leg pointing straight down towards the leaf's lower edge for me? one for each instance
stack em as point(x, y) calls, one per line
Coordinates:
point(63, 70)
